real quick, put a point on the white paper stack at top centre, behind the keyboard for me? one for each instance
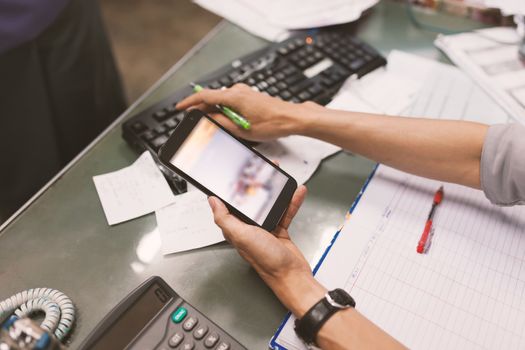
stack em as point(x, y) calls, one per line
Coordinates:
point(273, 19)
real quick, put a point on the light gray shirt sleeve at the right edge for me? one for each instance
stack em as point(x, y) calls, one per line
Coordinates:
point(503, 164)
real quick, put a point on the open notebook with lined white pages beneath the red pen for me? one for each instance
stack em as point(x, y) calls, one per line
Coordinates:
point(467, 292)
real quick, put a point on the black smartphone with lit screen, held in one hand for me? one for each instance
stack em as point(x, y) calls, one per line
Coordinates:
point(208, 156)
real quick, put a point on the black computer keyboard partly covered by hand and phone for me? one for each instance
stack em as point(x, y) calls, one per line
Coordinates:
point(306, 67)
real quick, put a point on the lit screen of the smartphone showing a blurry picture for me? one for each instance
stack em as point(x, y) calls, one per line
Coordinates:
point(230, 170)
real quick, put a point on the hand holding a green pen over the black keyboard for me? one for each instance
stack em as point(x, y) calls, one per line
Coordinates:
point(269, 117)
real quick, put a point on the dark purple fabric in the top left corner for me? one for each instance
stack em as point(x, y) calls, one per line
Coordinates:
point(23, 20)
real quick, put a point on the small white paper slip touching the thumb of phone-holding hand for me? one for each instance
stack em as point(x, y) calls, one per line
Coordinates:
point(187, 224)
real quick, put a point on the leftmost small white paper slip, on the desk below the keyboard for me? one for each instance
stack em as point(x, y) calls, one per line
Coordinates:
point(133, 191)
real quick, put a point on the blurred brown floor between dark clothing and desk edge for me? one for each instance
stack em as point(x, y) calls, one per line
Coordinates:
point(149, 36)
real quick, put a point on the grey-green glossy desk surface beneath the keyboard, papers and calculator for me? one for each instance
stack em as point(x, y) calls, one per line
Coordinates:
point(62, 240)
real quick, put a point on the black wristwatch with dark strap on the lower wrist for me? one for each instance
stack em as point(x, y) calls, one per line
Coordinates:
point(309, 325)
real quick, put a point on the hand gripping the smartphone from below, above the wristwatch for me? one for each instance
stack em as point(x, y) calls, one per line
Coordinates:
point(275, 257)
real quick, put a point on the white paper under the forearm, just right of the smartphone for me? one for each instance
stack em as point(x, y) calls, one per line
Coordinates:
point(299, 156)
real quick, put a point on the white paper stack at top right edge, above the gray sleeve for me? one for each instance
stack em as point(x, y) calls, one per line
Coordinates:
point(490, 57)
